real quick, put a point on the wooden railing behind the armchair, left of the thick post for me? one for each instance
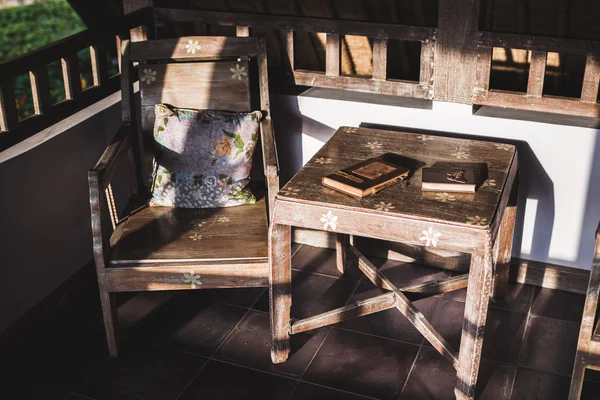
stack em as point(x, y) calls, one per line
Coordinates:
point(334, 29)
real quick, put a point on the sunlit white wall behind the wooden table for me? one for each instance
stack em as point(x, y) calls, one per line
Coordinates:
point(559, 193)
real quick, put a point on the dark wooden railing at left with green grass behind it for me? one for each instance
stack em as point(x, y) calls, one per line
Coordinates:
point(36, 63)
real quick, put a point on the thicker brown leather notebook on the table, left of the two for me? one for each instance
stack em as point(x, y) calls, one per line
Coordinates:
point(368, 177)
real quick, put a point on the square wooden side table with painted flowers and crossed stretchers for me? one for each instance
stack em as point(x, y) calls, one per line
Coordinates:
point(480, 224)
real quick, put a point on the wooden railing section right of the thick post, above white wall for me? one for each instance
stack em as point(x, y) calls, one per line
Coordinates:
point(534, 99)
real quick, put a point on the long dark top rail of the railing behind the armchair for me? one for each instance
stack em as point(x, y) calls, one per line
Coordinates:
point(286, 22)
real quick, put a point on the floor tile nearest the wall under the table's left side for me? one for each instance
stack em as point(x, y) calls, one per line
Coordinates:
point(321, 261)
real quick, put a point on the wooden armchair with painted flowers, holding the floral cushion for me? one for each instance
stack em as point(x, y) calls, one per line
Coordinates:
point(163, 248)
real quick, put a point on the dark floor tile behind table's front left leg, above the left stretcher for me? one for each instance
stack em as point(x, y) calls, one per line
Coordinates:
point(314, 294)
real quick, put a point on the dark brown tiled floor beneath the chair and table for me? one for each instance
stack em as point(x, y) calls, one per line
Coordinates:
point(214, 344)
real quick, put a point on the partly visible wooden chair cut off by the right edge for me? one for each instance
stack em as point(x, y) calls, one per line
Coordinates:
point(588, 346)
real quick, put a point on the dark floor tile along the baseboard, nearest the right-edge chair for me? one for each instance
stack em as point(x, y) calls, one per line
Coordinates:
point(557, 304)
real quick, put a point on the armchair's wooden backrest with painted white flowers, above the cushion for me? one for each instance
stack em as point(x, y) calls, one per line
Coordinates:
point(198, 72)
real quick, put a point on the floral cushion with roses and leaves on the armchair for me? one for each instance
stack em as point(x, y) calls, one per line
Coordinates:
point(203, 158)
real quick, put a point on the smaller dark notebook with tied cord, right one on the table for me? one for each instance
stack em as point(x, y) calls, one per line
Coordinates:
point(453, 177)
